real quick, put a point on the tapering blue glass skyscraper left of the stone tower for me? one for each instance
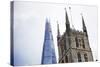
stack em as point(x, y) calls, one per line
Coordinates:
point(48, 55)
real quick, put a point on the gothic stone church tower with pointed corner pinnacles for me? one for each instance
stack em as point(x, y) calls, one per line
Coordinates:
point(73, 45)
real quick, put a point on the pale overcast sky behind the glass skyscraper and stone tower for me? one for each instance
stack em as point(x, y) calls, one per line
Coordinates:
point(29, 26)
